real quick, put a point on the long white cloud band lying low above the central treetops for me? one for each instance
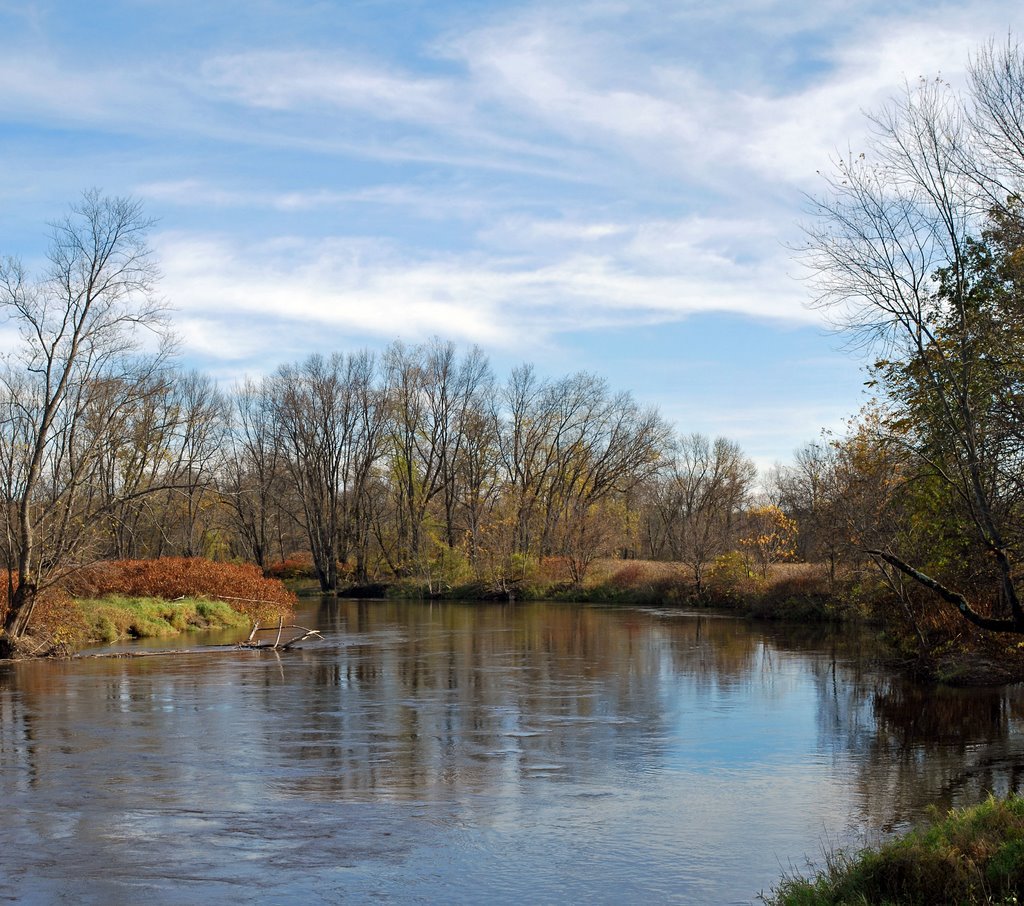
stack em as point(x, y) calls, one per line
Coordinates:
point(369, 288)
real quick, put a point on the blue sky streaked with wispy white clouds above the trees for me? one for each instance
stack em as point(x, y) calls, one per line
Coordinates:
point(607, 186)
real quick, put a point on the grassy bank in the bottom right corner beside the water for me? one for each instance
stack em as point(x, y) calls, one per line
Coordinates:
point(970, 856)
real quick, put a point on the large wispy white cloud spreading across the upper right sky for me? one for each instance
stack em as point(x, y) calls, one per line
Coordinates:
point(600, 90)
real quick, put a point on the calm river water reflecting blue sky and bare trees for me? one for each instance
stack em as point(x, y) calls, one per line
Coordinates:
point(478, 754)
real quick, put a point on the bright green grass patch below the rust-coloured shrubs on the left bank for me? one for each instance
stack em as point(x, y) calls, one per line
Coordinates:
point(112, 619)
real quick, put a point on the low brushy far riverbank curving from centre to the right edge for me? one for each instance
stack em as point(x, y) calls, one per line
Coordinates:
point(926, 637)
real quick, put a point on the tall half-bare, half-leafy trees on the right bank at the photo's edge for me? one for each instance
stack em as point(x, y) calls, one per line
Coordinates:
point(917, 250)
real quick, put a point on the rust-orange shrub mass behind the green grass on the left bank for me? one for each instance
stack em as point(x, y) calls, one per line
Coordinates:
point(242, 585)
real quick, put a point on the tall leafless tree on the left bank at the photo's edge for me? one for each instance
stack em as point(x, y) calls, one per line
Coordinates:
point(79, 367)
